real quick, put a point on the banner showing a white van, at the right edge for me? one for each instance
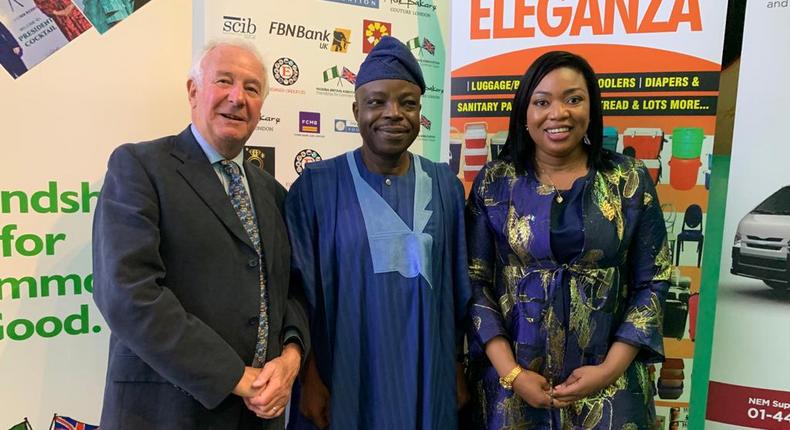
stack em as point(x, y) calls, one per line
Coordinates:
point(749, 383)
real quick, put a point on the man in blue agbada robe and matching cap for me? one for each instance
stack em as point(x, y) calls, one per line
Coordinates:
point(378, 244)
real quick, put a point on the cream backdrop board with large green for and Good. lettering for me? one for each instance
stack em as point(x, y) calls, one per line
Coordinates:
point(60, 121)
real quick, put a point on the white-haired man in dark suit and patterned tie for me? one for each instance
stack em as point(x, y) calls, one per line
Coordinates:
point(191, 266)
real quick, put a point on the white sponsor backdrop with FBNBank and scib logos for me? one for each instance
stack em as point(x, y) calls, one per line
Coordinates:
point(312, 60)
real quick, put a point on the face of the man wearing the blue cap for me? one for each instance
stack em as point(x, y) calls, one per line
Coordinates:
point(388, 113)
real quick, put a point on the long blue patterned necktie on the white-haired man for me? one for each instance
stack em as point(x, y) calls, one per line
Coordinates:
point(242, 204)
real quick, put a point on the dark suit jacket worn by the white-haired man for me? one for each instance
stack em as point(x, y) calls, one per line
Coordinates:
point(176, 279)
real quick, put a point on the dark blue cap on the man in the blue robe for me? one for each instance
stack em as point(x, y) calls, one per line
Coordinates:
point(390, 59)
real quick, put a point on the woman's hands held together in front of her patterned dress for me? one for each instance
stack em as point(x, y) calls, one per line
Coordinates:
point(534, 389)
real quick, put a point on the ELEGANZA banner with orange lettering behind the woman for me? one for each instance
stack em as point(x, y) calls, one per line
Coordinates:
point(658, 65)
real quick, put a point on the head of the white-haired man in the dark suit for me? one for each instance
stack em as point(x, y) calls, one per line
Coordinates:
point(226, 103)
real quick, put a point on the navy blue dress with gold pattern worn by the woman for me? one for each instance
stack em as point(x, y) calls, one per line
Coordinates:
point(557, 315)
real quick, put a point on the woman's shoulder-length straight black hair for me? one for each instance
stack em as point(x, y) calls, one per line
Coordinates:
point(519, 147)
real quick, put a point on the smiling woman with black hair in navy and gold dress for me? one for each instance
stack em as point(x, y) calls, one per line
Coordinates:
point(569, 266)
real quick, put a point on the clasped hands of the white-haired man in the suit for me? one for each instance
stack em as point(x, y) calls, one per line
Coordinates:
point(267, 390)
